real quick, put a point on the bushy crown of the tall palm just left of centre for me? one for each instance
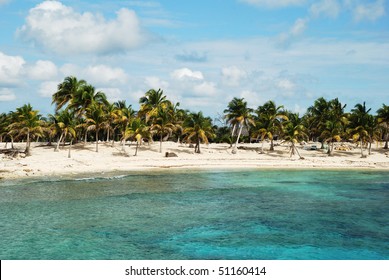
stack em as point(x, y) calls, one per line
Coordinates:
point(151, 102)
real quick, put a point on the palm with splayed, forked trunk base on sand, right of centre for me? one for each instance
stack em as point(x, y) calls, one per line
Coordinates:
point(294, 132)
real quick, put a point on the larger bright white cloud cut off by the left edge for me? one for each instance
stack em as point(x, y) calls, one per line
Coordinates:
point(11, 69)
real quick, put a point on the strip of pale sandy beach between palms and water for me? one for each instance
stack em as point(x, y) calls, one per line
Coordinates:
point(84, 160)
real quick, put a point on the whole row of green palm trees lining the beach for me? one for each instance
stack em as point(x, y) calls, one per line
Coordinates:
point(82, 115)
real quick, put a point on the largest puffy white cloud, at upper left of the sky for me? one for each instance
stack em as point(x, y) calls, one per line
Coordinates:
point(60, 29)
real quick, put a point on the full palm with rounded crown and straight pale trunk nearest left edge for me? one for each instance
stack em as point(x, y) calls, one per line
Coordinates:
point(28, 123)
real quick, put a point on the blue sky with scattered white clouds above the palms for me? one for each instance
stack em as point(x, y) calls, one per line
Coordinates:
point(201, 53)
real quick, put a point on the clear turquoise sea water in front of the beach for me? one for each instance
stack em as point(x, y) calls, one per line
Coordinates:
point(240, 214)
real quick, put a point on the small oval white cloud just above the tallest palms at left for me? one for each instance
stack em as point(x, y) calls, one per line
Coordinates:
point(104, 75)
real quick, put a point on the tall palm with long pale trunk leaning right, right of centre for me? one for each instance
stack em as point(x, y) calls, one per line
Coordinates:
point(238, 115)
